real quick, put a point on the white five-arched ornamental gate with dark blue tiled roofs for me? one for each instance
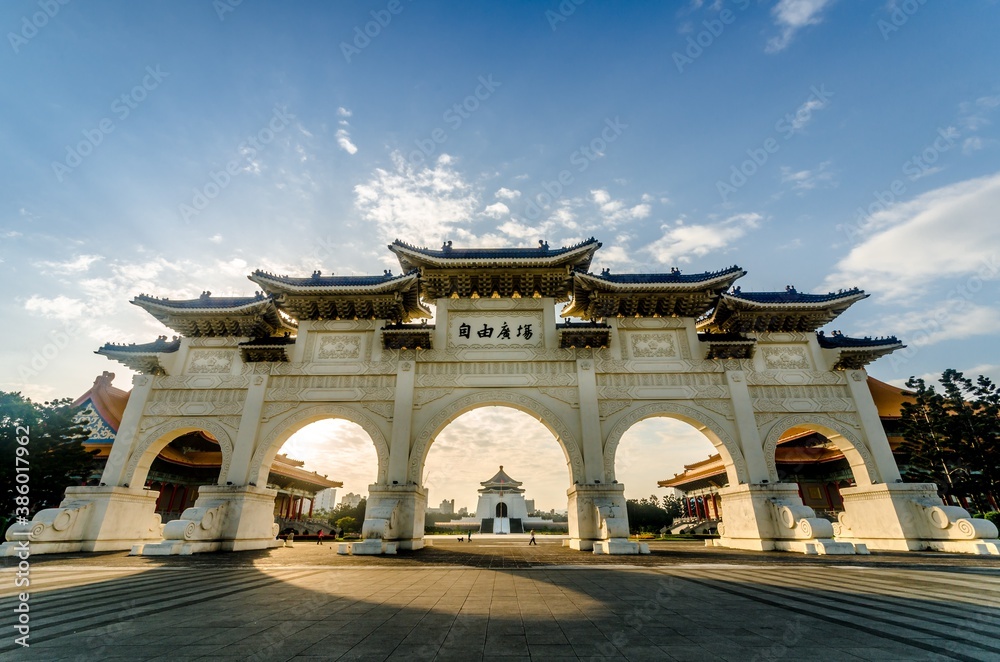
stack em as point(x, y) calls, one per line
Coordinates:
point(740, 367)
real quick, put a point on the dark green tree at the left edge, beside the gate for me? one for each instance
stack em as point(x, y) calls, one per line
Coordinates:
point(54, 454)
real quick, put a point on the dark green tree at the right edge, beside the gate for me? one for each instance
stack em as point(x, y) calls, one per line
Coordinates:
point(952, 437)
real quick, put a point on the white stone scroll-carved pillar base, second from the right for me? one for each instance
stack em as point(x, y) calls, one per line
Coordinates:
point(762, 517)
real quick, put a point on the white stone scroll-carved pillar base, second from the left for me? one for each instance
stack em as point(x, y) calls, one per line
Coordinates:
point(224, 518)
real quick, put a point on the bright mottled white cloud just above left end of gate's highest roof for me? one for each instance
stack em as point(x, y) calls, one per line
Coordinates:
point(419, 204)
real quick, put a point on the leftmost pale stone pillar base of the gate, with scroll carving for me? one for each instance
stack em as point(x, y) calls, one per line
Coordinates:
point(89, 519)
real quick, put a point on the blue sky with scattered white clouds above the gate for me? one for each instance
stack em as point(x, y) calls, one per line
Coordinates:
point(691, 134)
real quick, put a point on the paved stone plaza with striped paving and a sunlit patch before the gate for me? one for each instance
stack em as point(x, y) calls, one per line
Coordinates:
point(502, 599)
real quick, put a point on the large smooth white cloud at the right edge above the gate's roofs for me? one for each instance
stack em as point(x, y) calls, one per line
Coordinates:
point(950, 232)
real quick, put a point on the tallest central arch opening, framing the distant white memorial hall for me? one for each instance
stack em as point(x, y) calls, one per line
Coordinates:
point(495, 470)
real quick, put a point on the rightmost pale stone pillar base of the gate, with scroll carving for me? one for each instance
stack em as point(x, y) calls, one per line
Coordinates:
point(910, 517)
